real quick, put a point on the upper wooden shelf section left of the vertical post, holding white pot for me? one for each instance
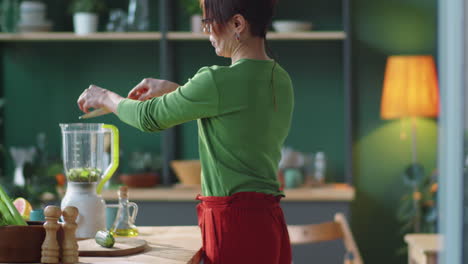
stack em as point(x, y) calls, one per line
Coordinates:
point(70, 36)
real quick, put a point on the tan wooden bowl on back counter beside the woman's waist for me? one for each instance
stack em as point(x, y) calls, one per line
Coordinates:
point(187, 171)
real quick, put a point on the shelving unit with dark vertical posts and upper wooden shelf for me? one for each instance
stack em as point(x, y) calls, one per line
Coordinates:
point(167, 39)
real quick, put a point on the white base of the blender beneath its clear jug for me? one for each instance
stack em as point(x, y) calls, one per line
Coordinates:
point(91, 208)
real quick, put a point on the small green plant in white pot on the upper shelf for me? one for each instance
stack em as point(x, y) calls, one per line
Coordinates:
point(85, 15)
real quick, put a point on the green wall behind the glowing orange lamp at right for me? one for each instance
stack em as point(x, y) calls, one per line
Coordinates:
point(383, 28)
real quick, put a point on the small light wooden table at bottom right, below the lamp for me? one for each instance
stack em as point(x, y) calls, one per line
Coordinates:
point(423, 248)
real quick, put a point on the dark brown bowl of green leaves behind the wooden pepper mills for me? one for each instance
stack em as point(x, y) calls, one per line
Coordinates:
point(22, 244)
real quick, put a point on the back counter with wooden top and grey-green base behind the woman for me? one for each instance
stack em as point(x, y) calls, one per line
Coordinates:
point(176, 207)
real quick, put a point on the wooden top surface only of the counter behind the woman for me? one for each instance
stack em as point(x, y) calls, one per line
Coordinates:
point(326, 193)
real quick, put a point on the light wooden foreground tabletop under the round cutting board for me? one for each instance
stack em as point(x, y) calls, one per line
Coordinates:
point(166, 245)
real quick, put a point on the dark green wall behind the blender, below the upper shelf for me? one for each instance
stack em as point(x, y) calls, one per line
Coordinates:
point(42, 82)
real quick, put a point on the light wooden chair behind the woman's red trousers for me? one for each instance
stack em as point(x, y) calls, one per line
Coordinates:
point(327, 231)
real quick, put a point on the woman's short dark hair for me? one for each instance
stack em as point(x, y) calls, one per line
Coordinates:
point(258, 13)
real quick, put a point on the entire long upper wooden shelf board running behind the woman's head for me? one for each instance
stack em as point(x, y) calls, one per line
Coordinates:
point(151, 36)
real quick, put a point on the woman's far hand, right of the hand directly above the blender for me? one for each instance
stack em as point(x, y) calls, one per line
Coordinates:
point(150, 88)
